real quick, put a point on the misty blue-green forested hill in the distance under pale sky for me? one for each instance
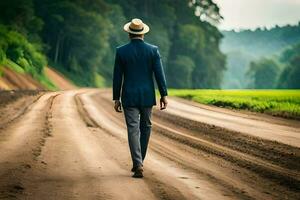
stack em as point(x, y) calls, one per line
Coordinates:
point(245, 46)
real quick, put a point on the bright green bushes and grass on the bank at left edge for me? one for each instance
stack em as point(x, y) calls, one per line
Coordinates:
point(22, 56)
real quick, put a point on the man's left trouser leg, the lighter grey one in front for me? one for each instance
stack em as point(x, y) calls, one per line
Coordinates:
point(132, 118)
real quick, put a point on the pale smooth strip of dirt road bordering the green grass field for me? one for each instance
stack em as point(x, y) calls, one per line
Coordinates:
point(286, 134)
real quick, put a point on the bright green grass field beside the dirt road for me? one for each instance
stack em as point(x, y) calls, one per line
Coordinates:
point(284, 103)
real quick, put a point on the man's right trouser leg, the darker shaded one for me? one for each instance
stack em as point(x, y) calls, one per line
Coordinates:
point(145, 129)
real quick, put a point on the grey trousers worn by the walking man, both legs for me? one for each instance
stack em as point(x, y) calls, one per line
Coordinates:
point(138, 121)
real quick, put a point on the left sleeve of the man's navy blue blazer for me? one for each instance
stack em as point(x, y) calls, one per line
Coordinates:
point(117, 77)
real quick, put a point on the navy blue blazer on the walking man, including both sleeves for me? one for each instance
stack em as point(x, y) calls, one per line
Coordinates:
point(135, 65)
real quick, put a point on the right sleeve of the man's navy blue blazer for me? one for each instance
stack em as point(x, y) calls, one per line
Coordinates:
point(159, 73)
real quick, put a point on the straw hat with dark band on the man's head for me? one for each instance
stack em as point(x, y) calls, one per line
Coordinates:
point(136, 26)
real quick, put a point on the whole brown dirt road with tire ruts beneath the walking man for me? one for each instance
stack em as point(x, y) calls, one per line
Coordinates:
point(72, 145)
